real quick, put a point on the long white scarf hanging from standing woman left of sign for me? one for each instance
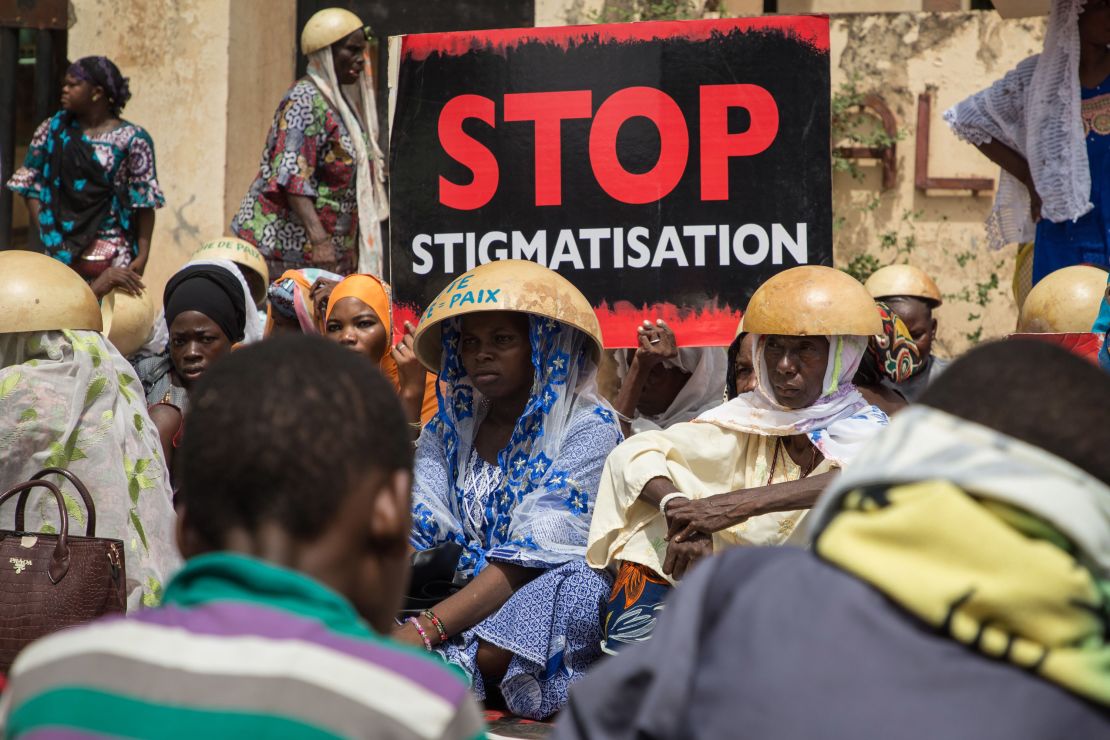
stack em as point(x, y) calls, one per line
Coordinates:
point(362, 126)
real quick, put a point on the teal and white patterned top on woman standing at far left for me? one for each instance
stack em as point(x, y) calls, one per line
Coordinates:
point(127, 155)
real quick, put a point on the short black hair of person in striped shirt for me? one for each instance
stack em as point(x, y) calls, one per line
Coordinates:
point(281, 431)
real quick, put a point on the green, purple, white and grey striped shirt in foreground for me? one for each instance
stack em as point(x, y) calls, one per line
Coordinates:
point(239, 648)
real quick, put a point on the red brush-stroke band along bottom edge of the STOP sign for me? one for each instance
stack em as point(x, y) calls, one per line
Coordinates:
point(704, 328)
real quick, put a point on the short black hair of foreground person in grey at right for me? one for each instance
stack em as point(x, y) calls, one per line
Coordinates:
point(1036, 392)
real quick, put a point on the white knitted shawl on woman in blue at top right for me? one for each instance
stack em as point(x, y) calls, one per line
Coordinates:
point(1036, 111)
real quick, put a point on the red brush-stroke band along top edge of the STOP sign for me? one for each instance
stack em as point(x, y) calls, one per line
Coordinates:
point(813, 31)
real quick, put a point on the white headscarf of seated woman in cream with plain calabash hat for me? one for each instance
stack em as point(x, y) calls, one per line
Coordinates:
point(839, 423)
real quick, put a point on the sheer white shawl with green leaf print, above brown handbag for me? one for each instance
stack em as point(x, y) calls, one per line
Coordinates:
point(69, 400)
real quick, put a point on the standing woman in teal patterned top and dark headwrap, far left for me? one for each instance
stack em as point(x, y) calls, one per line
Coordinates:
point(89, 181)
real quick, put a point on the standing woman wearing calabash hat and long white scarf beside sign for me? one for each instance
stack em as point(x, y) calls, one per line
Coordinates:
point(319, 198)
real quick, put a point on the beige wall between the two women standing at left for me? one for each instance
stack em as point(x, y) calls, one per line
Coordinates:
point(205, 76)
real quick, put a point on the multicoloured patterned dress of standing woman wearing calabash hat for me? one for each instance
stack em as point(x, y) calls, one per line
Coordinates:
point(309, 153)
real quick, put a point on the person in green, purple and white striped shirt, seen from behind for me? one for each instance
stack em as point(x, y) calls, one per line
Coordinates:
point(297, 477)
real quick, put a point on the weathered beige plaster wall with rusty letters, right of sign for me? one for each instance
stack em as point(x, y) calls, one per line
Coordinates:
point(953, 55)
